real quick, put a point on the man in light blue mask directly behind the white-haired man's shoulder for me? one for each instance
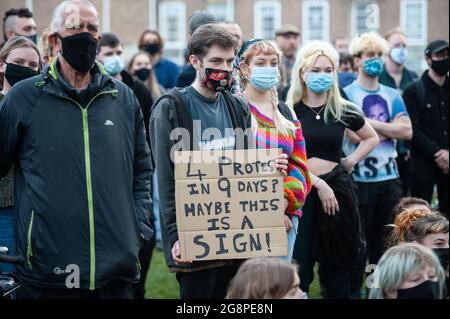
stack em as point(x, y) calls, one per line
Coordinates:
point(110, 51)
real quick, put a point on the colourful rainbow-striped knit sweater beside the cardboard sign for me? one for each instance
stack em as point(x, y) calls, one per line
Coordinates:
point(297, 183)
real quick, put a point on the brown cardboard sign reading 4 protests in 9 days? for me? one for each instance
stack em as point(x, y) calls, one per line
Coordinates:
point(230, 204)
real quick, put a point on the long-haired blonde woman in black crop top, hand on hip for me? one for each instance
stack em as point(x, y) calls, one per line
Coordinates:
point(325, 117)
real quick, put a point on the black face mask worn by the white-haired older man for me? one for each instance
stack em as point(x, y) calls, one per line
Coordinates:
point(79, 50)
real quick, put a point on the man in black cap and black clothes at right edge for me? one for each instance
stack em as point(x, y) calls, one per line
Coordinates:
point(427, 103)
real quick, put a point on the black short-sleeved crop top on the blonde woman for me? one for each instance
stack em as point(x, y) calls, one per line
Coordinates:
point(325, 141)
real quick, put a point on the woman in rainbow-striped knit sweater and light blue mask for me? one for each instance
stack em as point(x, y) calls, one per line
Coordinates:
point(276, 126)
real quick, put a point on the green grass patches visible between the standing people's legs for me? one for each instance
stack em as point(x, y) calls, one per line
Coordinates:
point(161, 284)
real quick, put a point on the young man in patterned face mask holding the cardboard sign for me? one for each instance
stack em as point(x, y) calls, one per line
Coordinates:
point(210, 116)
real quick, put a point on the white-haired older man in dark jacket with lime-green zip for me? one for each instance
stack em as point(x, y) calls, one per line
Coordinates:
point(77, 140)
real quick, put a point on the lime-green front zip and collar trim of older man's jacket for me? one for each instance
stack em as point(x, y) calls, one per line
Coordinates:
point(87, 158)
